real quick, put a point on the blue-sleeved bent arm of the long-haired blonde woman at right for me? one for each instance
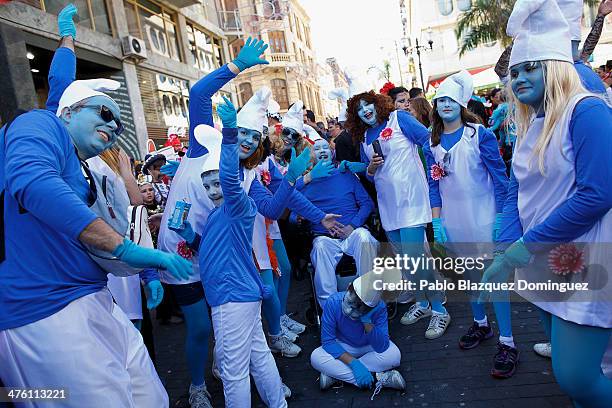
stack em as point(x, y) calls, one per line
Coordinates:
point(590, 130)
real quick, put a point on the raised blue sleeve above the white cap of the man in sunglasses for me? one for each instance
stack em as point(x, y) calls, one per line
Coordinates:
point(62, 73)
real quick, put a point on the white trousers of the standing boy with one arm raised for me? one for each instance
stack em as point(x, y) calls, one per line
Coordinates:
point(241, 347)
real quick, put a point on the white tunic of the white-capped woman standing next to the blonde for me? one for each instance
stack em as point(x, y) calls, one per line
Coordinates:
point(468, 197)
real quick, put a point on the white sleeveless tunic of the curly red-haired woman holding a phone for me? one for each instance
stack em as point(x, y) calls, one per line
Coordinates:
point(401, 184)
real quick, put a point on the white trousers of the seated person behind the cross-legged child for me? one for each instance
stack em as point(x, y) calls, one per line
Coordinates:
point(326, 253)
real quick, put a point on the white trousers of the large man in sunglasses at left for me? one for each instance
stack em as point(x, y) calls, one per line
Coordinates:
point(91, 349)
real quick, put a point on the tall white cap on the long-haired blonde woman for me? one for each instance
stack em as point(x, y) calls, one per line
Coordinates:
point(540, 32)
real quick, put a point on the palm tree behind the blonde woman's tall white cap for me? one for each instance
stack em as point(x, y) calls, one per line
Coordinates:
point(486, 22)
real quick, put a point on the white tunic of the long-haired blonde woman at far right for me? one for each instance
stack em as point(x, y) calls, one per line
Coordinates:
point(538, 197)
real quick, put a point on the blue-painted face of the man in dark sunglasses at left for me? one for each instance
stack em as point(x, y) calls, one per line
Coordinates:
point(88, 129)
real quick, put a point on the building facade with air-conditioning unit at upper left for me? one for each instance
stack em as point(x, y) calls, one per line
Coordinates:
point(183, 41)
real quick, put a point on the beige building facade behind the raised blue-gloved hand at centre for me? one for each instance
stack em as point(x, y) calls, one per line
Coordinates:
point(292, 72)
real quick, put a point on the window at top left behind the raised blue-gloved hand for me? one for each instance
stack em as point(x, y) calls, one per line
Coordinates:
point(92, 13)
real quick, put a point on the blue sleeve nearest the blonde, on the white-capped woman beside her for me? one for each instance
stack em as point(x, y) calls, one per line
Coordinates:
point(492, 160)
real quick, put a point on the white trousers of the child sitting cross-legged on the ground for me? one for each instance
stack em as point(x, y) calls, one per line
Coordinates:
point(325, 363)
